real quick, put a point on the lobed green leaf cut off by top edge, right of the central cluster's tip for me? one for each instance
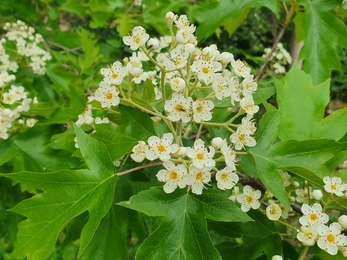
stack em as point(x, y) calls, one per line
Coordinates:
point(211, 15)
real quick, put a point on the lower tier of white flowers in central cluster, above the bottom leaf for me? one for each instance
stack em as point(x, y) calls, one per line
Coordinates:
point(193, 166)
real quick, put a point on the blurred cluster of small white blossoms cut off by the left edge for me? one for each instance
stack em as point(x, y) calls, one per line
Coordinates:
point(19, 41)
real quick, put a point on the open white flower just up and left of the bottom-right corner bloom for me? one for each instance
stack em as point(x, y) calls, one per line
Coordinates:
point(313, 215)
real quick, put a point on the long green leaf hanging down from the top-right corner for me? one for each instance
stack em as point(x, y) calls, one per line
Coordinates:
point(323, 31)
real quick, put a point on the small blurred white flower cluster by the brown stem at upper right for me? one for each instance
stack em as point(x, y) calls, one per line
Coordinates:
point(279, 58)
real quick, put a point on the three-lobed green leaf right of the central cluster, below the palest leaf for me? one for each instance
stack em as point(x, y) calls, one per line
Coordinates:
point(305, 158)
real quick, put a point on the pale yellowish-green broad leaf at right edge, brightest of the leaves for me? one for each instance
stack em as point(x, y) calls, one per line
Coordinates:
point(302, 107)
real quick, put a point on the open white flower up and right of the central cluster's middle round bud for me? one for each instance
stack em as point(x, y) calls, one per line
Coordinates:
point(206, 70)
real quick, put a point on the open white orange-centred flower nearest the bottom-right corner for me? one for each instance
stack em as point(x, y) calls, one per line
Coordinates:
point(331, 238)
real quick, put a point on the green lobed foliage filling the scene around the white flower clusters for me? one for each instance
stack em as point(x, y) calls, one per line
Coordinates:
point(102, 216)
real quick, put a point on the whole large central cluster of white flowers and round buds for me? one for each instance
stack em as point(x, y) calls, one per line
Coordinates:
point(188, 82)
